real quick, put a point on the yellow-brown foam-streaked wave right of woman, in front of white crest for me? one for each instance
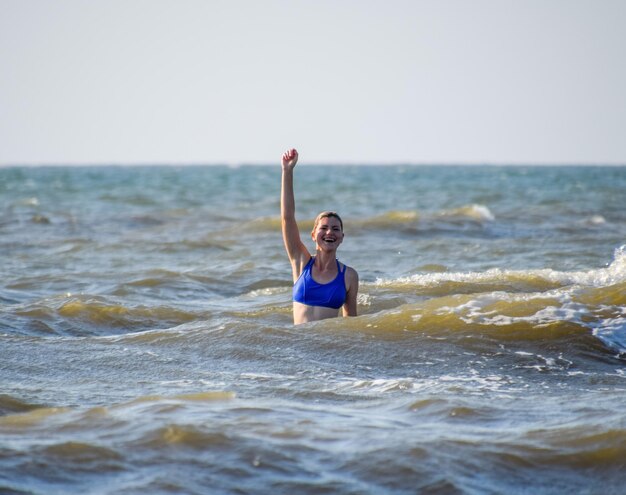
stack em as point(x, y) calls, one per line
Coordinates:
point(527, 315)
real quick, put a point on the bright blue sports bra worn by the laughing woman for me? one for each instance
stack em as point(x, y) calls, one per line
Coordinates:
point(308, 291)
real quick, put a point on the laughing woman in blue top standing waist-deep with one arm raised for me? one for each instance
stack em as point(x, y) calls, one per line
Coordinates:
point(322, 285)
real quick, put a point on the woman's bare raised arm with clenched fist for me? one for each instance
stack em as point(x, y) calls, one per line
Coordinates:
point(296, 250)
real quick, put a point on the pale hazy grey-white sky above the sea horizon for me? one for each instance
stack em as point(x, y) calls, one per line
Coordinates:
point(344, 81)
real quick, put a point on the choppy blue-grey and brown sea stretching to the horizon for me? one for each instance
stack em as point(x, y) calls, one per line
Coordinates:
point(147, 344)
